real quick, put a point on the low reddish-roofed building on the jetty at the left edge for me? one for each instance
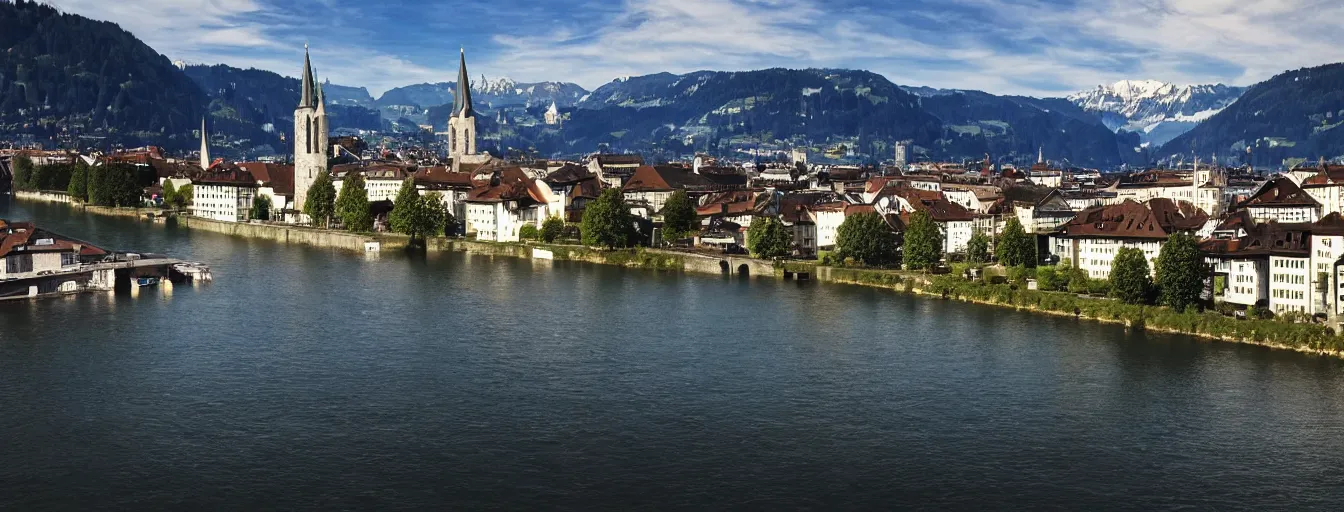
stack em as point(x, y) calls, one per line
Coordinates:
point(28, 251)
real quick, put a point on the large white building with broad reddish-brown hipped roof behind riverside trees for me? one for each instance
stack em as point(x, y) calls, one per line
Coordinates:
point(1092, 240)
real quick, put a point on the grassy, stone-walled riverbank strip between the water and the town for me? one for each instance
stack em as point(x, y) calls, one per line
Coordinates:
point(1302, 338)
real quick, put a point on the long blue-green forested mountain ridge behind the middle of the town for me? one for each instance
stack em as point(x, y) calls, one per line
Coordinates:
point(841, 107)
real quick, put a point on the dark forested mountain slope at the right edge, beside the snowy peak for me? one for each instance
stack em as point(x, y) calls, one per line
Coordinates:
point(1296, 115)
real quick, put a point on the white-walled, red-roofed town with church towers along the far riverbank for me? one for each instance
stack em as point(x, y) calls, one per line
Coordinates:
point(1272, 243)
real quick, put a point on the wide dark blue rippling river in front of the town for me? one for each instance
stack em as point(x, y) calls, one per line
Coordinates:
point(321, 380)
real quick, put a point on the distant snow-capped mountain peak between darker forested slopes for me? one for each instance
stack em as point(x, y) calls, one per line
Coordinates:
point(1157, 111)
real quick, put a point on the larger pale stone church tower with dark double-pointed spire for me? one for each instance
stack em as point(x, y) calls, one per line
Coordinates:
point(311, 147)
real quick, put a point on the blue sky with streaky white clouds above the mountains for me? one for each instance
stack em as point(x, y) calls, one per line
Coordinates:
point(1033, 48)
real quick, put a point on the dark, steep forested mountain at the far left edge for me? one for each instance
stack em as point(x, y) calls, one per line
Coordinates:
point(65, 76)
